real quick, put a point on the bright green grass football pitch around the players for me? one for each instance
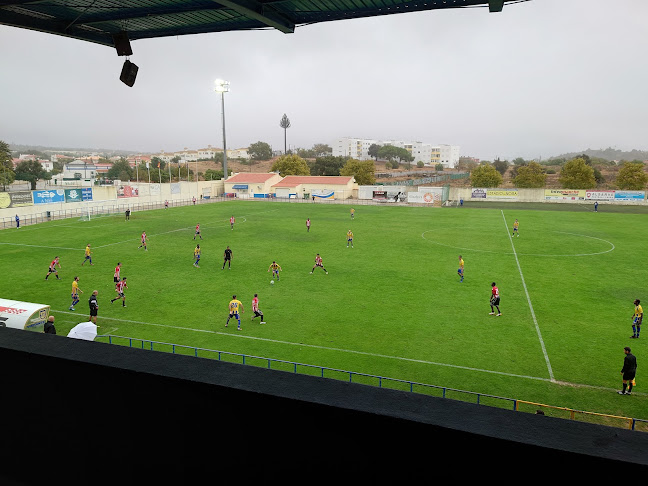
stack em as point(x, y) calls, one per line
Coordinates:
point(392, 306)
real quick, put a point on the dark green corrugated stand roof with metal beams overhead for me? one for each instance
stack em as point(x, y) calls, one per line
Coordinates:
point(99, 20)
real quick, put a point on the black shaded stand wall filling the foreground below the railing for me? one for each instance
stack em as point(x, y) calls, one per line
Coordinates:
point(78, 412)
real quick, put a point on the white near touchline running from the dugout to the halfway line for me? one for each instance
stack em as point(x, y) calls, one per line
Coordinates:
point(327, 348)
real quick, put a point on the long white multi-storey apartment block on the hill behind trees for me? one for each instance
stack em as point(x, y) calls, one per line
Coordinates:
point(358, 148)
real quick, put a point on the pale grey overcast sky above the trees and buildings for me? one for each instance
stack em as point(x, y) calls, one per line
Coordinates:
point(538, 79)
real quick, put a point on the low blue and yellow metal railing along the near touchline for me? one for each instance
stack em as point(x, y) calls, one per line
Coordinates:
point(382, 382)
